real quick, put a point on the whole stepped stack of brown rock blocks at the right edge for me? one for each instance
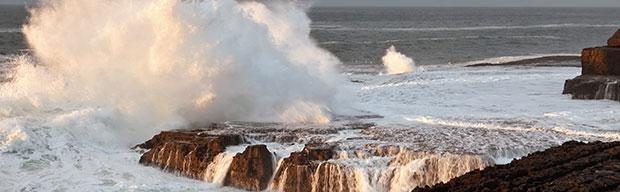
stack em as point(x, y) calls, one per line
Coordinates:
point(600, 73)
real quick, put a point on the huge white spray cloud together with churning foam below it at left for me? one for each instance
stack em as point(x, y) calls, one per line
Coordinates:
point(106, 75)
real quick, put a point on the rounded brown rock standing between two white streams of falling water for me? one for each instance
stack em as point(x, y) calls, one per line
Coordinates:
point(251, 170)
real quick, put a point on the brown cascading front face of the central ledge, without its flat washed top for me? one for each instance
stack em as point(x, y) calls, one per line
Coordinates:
point(228, 160)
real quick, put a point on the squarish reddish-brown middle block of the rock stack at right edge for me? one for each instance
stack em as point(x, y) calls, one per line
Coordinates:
point(600, 61)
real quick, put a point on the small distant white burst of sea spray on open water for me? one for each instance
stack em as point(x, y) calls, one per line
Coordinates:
point(396, 62)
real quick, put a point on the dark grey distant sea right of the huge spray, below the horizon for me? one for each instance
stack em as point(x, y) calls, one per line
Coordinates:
point(455, 35)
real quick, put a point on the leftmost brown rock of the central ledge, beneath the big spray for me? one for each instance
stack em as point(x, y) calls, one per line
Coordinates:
point(186, 152)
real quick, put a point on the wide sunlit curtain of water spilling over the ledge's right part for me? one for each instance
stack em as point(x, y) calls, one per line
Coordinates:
point(389, 169)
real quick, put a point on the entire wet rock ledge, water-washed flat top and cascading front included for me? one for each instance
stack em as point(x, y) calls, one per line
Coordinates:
point(341, 156)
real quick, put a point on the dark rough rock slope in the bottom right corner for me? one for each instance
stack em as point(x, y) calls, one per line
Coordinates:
point(573, 166)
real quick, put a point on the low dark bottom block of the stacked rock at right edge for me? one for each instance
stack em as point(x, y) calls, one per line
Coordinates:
point(594, 87)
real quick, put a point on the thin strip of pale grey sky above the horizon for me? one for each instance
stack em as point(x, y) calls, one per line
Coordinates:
point(472, 3)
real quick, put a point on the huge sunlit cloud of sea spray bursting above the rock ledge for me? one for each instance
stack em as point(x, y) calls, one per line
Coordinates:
point(167, 63)
